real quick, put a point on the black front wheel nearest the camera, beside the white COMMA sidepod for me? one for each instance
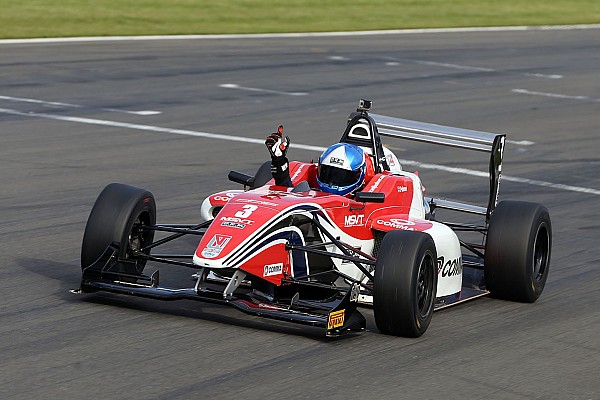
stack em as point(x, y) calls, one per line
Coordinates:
point(405, 283)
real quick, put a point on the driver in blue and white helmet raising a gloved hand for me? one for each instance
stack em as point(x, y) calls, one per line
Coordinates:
point(341, 169)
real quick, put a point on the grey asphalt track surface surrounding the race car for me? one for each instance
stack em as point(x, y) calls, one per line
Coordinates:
point(536, 86)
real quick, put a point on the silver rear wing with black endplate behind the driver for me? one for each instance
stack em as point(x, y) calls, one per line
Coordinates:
point(454, 137)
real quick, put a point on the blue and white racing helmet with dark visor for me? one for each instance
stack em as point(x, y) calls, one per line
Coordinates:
point(341, 169)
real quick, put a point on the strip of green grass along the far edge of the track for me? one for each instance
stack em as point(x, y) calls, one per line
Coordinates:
point(52, 18)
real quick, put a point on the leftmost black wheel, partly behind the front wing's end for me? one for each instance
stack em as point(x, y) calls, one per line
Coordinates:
point(119, 215)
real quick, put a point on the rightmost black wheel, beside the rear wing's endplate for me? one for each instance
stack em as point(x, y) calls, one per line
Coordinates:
point(517, 251)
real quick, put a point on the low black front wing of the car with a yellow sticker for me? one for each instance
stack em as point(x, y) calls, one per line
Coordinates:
point(333, 309)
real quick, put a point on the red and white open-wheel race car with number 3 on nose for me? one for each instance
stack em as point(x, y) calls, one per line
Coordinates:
point(301, 255)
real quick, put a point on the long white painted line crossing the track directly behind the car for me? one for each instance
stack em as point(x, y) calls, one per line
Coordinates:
point(150, 128)
